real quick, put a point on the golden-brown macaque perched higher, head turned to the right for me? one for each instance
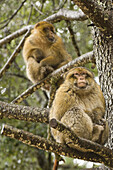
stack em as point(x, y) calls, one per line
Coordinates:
point(43, 52)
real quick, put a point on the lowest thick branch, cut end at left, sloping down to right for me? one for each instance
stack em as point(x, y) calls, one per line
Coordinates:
point(51, 146)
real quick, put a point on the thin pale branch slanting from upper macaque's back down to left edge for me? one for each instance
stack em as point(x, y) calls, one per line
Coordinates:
point(14, 54)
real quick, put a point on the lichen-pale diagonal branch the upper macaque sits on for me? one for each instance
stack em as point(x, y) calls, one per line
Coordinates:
point(86, 58)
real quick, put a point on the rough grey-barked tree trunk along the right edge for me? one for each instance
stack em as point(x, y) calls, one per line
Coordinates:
point(103, 50)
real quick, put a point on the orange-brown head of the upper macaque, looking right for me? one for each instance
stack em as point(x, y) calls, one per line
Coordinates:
point(46, 30)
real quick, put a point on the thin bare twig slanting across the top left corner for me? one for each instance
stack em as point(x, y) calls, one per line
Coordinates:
point(10, 18)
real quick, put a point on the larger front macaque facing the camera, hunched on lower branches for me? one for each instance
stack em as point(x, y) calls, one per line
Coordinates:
point(80, 105)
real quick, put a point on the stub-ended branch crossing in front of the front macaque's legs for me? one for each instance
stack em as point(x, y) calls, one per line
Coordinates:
point(82, 143)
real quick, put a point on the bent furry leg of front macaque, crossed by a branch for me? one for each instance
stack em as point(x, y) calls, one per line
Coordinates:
point(79, 122)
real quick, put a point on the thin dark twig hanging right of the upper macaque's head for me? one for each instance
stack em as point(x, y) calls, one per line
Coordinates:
point(73, 38)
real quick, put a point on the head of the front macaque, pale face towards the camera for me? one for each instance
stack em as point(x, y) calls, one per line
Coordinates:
point(81, 80)
